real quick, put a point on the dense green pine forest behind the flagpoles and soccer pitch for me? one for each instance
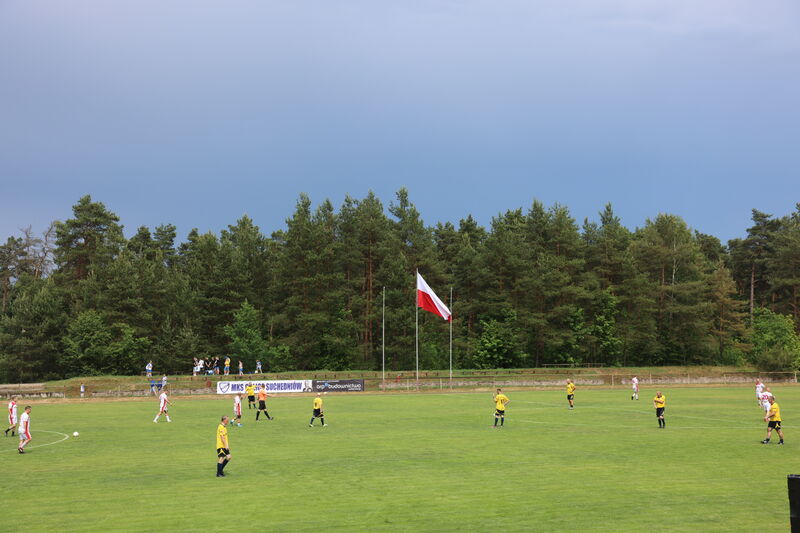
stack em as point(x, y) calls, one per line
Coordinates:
point(535, 287)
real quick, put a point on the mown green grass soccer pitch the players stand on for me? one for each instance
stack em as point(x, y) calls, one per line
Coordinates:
point(426, 462)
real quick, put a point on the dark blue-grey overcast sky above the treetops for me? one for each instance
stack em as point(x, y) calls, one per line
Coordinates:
point(195, 112)
